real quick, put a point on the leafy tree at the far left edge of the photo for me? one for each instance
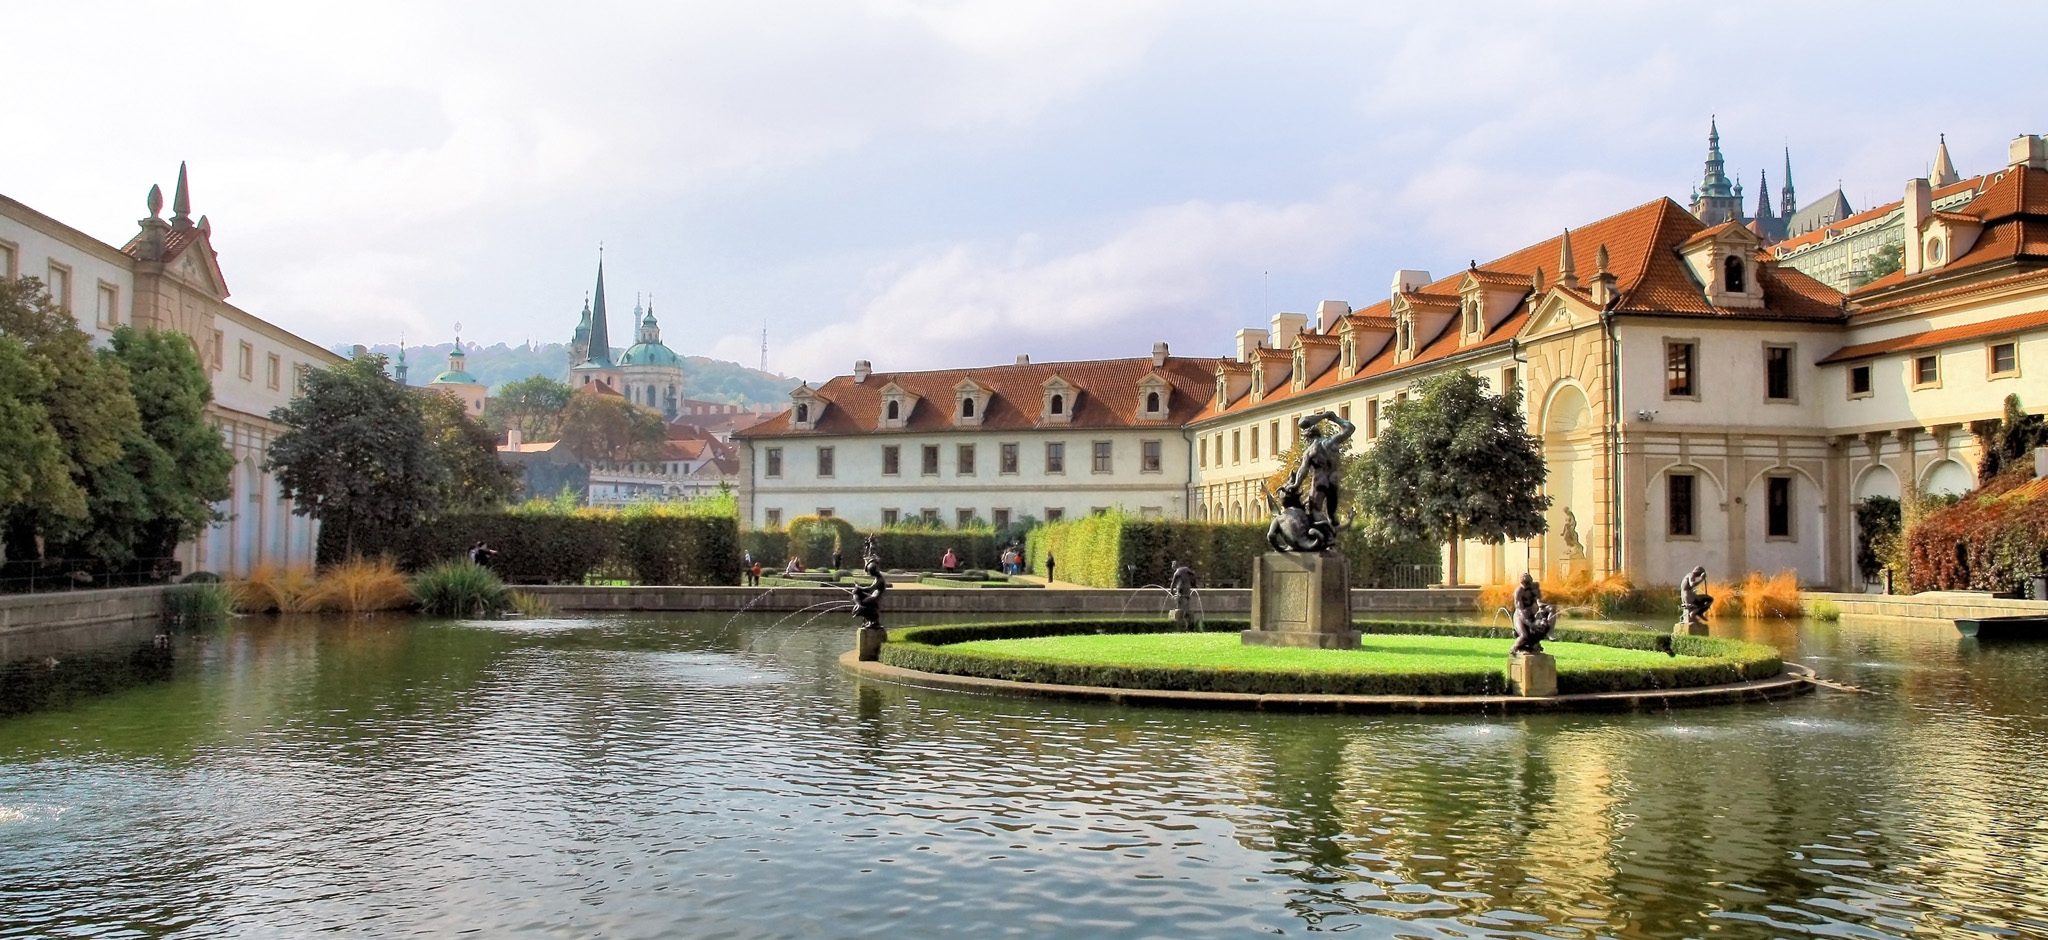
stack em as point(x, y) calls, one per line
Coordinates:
point(91, 411)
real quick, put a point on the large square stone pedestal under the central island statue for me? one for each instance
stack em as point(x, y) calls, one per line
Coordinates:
point(1302, 601)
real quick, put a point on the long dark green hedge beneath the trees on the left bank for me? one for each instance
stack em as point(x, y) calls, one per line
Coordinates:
point(566, 548)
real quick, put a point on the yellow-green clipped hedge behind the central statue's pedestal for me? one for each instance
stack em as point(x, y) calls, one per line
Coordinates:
point(1123, 552)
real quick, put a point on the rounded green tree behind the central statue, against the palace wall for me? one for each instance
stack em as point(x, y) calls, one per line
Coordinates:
point(1453, 464)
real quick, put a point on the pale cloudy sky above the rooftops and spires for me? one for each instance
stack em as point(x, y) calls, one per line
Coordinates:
point(949, 183)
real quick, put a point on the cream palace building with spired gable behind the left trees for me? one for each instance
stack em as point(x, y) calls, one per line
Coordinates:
point(169, 277)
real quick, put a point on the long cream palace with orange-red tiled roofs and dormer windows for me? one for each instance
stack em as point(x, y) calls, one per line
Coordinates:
point(1699, 402)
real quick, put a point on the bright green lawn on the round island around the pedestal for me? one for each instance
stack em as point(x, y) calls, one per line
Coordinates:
point(1381, 654)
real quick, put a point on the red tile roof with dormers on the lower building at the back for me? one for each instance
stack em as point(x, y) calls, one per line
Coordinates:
point(1109, 398)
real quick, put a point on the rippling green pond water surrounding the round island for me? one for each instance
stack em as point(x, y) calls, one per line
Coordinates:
point(714, 777)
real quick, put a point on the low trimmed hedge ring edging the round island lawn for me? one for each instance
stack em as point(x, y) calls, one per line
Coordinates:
point(1701, 660)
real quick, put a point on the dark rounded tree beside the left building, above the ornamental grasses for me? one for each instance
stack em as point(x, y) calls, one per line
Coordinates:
point(355, 452)
